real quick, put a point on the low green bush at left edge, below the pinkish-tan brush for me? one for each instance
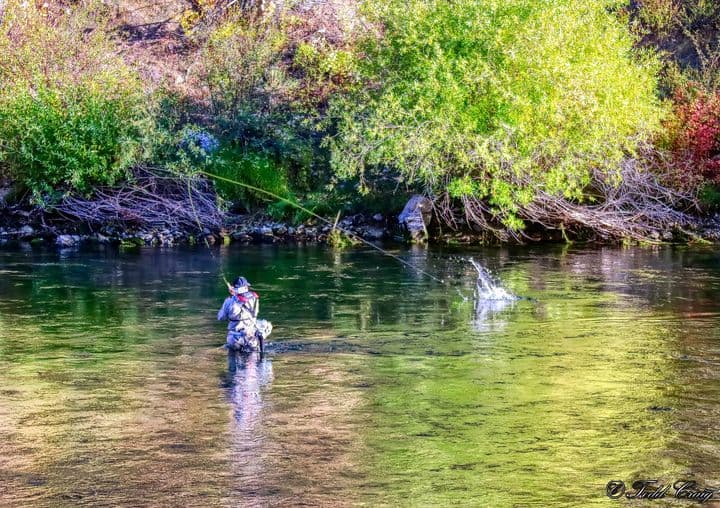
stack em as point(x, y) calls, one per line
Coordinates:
point(72, 137)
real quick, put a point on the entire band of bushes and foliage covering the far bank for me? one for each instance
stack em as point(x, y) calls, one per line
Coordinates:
point(495, 106)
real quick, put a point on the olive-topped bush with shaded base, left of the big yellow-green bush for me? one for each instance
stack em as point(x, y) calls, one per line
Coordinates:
point(269, 79)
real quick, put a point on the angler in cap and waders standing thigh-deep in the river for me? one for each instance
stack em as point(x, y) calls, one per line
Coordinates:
point(240, 309)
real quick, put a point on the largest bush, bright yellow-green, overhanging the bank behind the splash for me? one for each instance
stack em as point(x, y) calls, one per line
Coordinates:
point(495, 98)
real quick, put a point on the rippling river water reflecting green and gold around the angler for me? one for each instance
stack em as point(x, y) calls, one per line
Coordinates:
point(382, 387)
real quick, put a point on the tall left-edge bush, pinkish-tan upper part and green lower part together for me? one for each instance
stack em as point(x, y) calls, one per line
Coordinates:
point(72, 114)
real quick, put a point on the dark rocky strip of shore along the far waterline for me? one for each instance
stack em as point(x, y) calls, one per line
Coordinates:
point(33, 227)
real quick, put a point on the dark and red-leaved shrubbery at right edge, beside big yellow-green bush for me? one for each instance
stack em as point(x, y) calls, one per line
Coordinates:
point(687, 38)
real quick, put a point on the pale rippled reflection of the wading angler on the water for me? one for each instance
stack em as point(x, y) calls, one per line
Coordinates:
point(247, 375)
